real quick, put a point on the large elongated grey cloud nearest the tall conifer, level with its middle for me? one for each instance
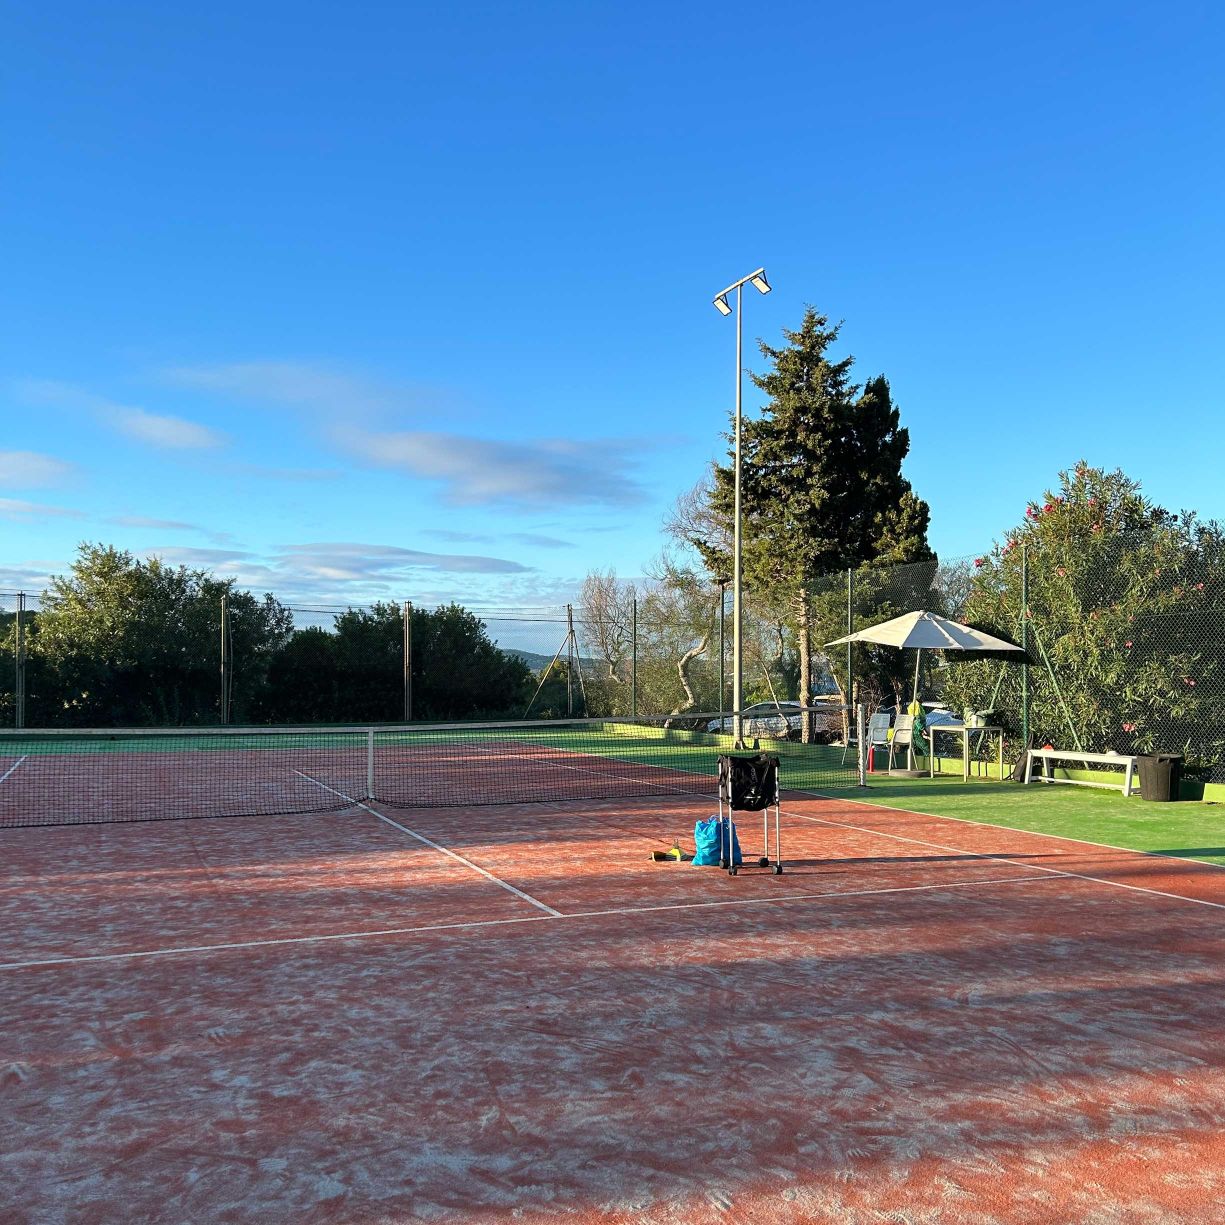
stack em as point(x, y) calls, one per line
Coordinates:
point(549, 472)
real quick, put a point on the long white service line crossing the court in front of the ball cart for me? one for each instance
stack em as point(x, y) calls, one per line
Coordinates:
point(505, 923)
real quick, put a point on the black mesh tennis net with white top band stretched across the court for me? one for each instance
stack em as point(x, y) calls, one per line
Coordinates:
point(104, 776)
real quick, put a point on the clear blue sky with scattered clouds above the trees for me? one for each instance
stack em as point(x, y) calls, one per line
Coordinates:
point(413, 302)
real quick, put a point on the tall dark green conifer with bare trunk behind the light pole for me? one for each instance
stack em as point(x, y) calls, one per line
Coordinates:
point(821, 482)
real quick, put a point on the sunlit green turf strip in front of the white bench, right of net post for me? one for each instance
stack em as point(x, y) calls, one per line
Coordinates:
point(1189, 830)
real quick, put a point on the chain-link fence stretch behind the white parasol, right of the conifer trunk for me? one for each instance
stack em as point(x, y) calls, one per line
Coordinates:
point(1124, 644)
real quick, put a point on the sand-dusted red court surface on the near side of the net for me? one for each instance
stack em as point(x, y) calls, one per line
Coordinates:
point(511, 1015)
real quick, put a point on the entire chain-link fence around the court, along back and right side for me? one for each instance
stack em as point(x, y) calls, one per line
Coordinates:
point(1124, 636)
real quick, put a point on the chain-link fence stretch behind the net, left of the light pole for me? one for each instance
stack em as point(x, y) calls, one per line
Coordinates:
point(150, 662)
